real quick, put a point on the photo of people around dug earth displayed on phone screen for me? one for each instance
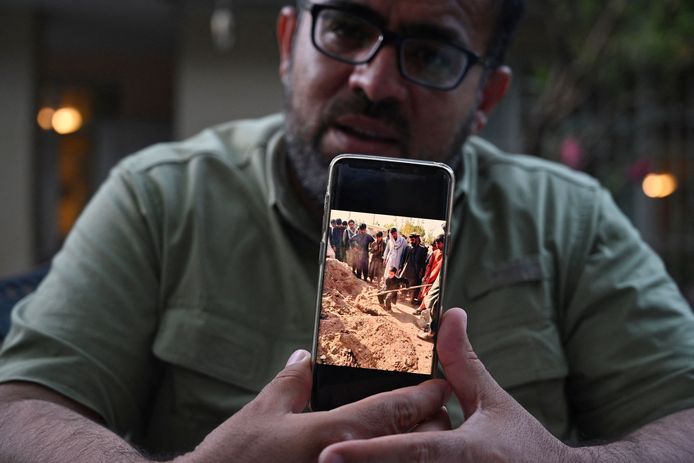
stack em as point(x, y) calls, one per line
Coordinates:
point(377, 296)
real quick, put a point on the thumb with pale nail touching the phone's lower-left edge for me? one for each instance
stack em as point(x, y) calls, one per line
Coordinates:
point(290, 390)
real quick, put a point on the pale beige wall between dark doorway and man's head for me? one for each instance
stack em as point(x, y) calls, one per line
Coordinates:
point(214, 86)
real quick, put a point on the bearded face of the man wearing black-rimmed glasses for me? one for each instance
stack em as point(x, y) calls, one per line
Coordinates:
point(334, 107)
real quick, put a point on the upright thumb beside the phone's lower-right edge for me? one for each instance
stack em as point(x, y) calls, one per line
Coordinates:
point(470, 380)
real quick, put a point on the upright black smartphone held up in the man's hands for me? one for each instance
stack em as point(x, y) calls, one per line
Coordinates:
point(366, 330)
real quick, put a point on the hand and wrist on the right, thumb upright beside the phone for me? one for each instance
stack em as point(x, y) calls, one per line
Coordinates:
point(498, 429)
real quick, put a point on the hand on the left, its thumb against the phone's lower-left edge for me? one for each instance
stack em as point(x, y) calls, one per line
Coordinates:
point(272, 427)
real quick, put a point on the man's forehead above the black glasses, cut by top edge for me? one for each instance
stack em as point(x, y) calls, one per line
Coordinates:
point(469, 22)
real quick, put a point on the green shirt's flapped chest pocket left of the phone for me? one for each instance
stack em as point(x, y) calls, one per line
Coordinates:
point(213, 365)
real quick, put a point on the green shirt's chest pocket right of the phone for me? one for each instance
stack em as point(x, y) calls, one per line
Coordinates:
point(512, 321)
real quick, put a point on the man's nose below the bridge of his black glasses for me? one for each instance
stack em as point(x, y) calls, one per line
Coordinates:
point(380, 78)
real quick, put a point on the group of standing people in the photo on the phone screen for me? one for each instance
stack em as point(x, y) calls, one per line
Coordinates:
point(394, 264)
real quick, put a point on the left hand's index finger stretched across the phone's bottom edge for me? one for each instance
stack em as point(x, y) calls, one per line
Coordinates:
point(396, 411)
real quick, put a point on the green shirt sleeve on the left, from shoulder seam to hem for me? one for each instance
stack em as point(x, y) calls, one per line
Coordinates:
point(87, 331)
